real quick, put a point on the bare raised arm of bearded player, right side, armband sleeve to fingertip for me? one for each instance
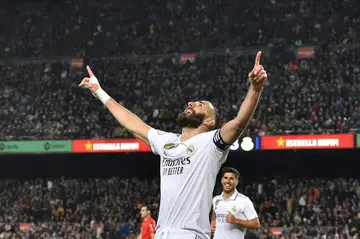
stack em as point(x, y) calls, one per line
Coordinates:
point(232, 130)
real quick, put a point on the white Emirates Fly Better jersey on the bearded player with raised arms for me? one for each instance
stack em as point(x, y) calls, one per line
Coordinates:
point(188, 174)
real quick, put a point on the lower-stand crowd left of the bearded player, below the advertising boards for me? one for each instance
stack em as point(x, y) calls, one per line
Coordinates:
point(72, 208)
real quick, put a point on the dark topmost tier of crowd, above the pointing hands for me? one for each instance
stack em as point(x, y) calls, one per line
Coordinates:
point(92, 28)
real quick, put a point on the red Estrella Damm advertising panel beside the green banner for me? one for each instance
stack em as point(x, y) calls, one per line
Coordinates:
point(109, 146)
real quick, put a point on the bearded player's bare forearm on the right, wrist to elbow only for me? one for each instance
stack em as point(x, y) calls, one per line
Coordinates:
point(248, 107)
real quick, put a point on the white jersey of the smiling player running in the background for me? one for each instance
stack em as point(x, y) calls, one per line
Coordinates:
point(240, 206)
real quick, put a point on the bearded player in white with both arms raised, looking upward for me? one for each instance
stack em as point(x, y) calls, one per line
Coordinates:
point(191, 160)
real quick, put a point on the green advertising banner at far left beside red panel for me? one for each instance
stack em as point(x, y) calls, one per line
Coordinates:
point(41, 146)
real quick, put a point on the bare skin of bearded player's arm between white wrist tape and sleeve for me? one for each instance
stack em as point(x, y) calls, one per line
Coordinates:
point(128, 120)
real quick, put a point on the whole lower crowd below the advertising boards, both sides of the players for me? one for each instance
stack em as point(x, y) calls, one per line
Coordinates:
point(109, 208)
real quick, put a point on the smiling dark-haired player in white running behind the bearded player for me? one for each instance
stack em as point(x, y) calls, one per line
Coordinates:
point(233, 212)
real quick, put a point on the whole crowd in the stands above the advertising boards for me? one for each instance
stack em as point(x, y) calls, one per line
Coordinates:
point(42, 100)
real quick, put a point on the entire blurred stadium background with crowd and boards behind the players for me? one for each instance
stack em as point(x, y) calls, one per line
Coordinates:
point(68, 170)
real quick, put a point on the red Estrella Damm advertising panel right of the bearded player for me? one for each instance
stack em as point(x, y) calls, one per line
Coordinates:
point(323, 141)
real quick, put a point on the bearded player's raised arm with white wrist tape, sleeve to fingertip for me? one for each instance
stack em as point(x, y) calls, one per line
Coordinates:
point(127, 119)
